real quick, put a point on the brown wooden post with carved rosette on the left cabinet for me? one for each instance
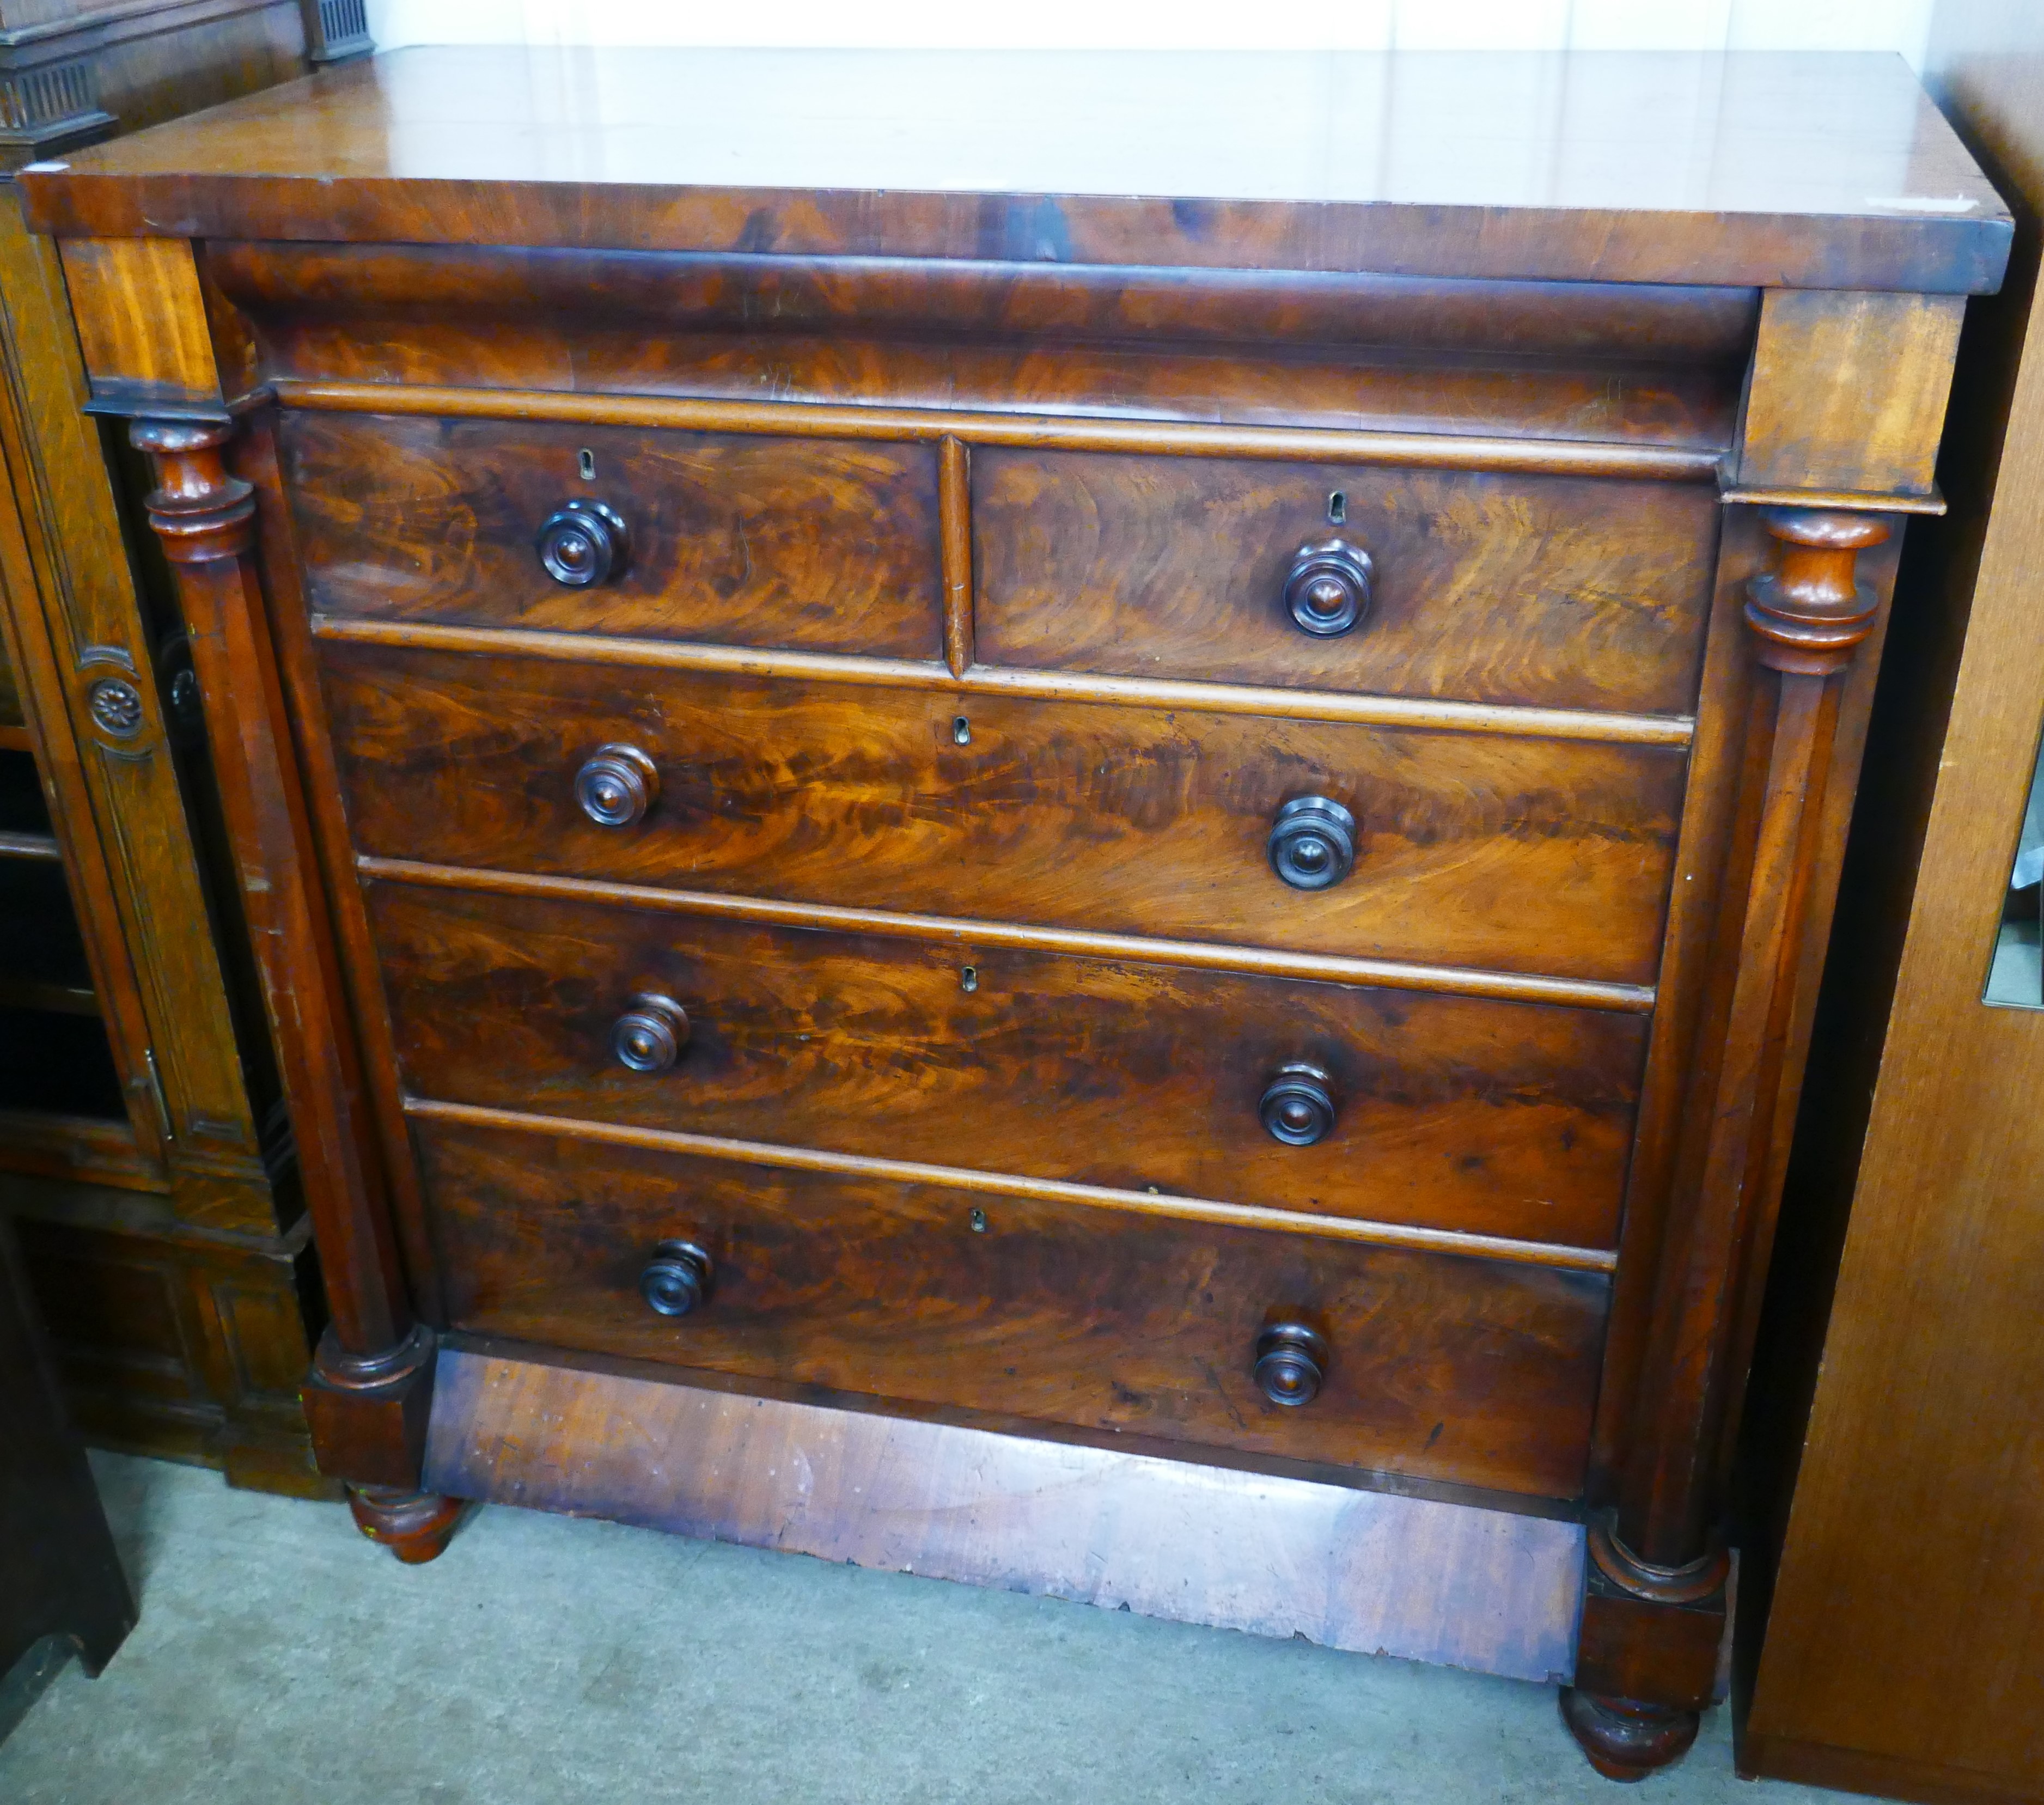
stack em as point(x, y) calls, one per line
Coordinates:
point(126, 806)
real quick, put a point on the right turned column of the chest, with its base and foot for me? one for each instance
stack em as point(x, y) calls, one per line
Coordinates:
point(1655, 1587)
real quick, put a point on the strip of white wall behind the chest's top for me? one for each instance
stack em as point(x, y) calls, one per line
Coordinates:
point(1867, 26)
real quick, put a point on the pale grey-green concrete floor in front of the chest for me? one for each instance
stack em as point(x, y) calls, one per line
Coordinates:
point(281, 1661)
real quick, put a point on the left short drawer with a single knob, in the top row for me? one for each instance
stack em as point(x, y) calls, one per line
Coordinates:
point(729, 539)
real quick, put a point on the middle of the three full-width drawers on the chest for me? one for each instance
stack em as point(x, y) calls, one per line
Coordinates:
point(1452, 1113)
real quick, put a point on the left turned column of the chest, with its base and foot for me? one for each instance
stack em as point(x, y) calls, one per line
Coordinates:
point(373, 1373)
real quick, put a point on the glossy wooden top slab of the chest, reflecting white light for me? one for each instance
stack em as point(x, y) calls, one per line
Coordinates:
point(1618, 169)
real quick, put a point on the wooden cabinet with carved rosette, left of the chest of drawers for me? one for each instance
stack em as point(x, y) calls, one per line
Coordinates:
point(144, 1142)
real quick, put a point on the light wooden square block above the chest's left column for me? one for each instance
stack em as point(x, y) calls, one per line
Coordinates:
point(142, 320)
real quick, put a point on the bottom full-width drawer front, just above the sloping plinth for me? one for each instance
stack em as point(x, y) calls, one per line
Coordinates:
point(1438, 1367)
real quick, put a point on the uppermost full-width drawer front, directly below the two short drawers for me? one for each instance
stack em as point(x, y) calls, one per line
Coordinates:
point(1471, 849)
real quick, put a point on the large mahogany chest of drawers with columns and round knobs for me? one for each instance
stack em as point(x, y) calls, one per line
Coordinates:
point(890, 784)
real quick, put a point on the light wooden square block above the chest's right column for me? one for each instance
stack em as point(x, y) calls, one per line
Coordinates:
point(1849, 391)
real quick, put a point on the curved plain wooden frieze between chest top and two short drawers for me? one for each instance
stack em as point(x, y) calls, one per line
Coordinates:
point(1585, 361)
